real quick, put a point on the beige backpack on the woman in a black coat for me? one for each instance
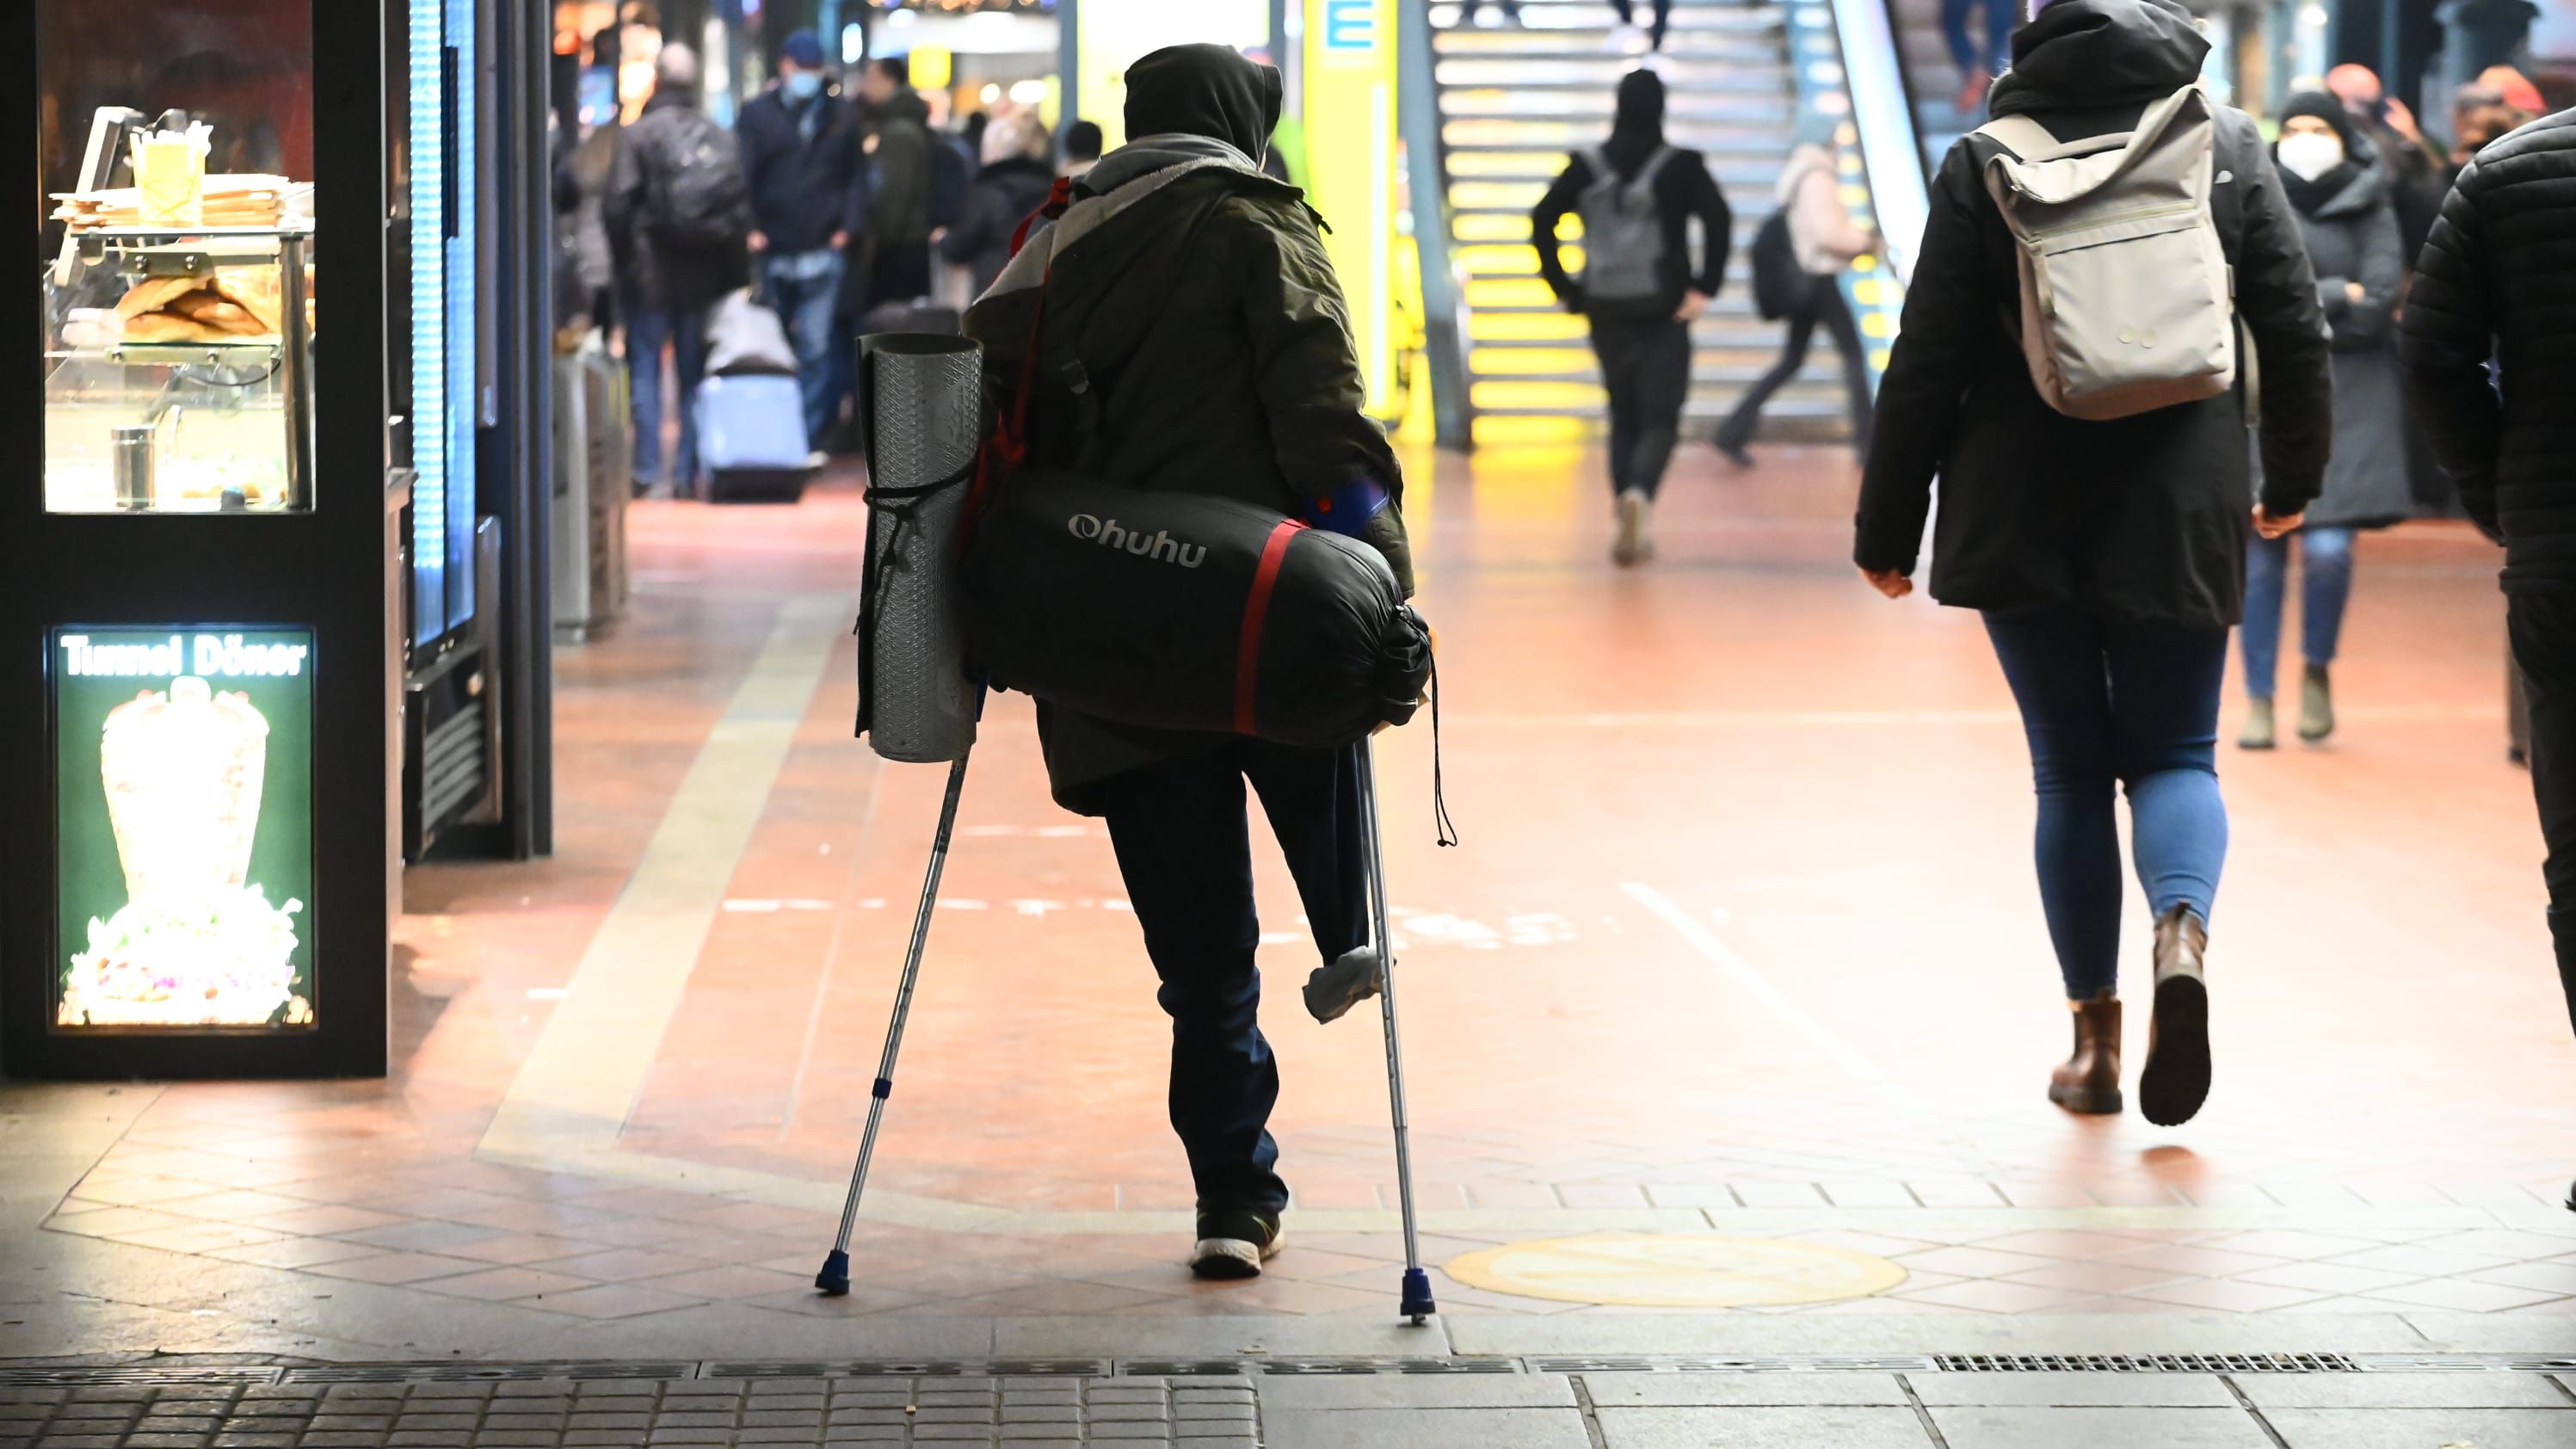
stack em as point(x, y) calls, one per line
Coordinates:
point(2126, 295)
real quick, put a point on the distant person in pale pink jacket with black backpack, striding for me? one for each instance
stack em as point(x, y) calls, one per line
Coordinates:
point(1823, 244)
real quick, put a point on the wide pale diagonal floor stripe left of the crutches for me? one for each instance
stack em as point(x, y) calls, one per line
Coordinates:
point(589, 1066)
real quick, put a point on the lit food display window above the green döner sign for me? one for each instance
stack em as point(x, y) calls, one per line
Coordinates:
point(176, 226)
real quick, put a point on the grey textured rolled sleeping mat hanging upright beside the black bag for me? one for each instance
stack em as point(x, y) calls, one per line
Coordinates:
point(926, 414)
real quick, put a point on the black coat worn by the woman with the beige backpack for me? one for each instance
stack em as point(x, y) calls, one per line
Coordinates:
point(2145, 517)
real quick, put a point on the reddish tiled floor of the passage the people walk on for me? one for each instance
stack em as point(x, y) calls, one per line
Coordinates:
point(1740, 940)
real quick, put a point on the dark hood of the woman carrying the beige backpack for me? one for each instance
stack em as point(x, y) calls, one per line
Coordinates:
point(2101, 53)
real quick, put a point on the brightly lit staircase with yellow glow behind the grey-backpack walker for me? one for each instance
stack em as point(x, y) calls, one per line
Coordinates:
point(1513, 102)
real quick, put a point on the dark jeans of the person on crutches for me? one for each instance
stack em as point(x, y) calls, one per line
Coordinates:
point(1186, 852)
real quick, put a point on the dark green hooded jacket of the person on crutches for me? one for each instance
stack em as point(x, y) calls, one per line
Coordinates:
point(1194, 339)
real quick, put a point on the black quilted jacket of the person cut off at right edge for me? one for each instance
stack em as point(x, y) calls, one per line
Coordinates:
point(2497, 282)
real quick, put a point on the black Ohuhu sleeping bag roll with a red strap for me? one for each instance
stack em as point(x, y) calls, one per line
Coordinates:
point(1186, 612)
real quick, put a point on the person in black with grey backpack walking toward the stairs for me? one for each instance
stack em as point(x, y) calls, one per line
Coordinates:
point(1640, 290)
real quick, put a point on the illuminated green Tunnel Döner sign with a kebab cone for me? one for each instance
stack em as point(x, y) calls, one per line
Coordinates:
point(184, 829)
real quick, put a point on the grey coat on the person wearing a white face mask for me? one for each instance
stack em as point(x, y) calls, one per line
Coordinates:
point(2353, 236)
